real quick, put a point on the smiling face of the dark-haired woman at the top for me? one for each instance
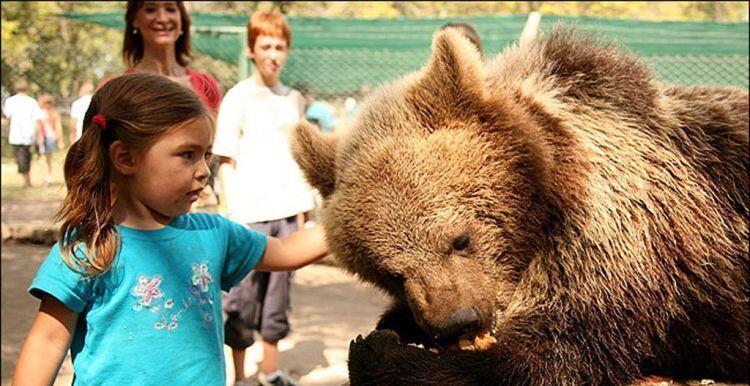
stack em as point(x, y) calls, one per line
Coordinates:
point(158, 22)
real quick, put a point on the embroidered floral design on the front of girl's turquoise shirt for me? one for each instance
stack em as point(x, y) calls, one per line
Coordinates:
point(148, 294)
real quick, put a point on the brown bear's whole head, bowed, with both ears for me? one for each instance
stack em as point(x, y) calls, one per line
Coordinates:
point(434, 194)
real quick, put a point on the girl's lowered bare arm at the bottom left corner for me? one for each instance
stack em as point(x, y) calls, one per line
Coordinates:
point(46, 345)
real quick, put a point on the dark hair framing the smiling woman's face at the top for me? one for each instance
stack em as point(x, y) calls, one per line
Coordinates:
point(132, 45)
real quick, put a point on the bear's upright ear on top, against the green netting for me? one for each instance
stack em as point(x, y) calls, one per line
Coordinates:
point(452, 83)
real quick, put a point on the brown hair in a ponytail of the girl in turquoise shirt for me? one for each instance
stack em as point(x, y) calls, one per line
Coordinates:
point(138, 109)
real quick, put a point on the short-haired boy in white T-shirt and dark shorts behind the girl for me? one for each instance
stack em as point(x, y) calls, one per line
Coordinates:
point(263, 188)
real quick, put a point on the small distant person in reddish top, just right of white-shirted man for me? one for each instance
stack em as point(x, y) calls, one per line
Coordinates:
point(50, 135)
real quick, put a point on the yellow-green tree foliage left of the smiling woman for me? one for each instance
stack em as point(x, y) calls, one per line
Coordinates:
point(54, 54)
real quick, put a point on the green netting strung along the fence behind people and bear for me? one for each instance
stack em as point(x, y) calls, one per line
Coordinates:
point(334, 57)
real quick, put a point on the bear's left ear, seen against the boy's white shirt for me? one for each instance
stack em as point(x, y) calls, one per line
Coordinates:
point(315, 153)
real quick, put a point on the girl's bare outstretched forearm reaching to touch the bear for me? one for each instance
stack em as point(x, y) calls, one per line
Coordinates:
point(294, 251)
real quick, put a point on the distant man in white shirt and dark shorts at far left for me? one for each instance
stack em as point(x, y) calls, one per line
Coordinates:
point(23, 112)
